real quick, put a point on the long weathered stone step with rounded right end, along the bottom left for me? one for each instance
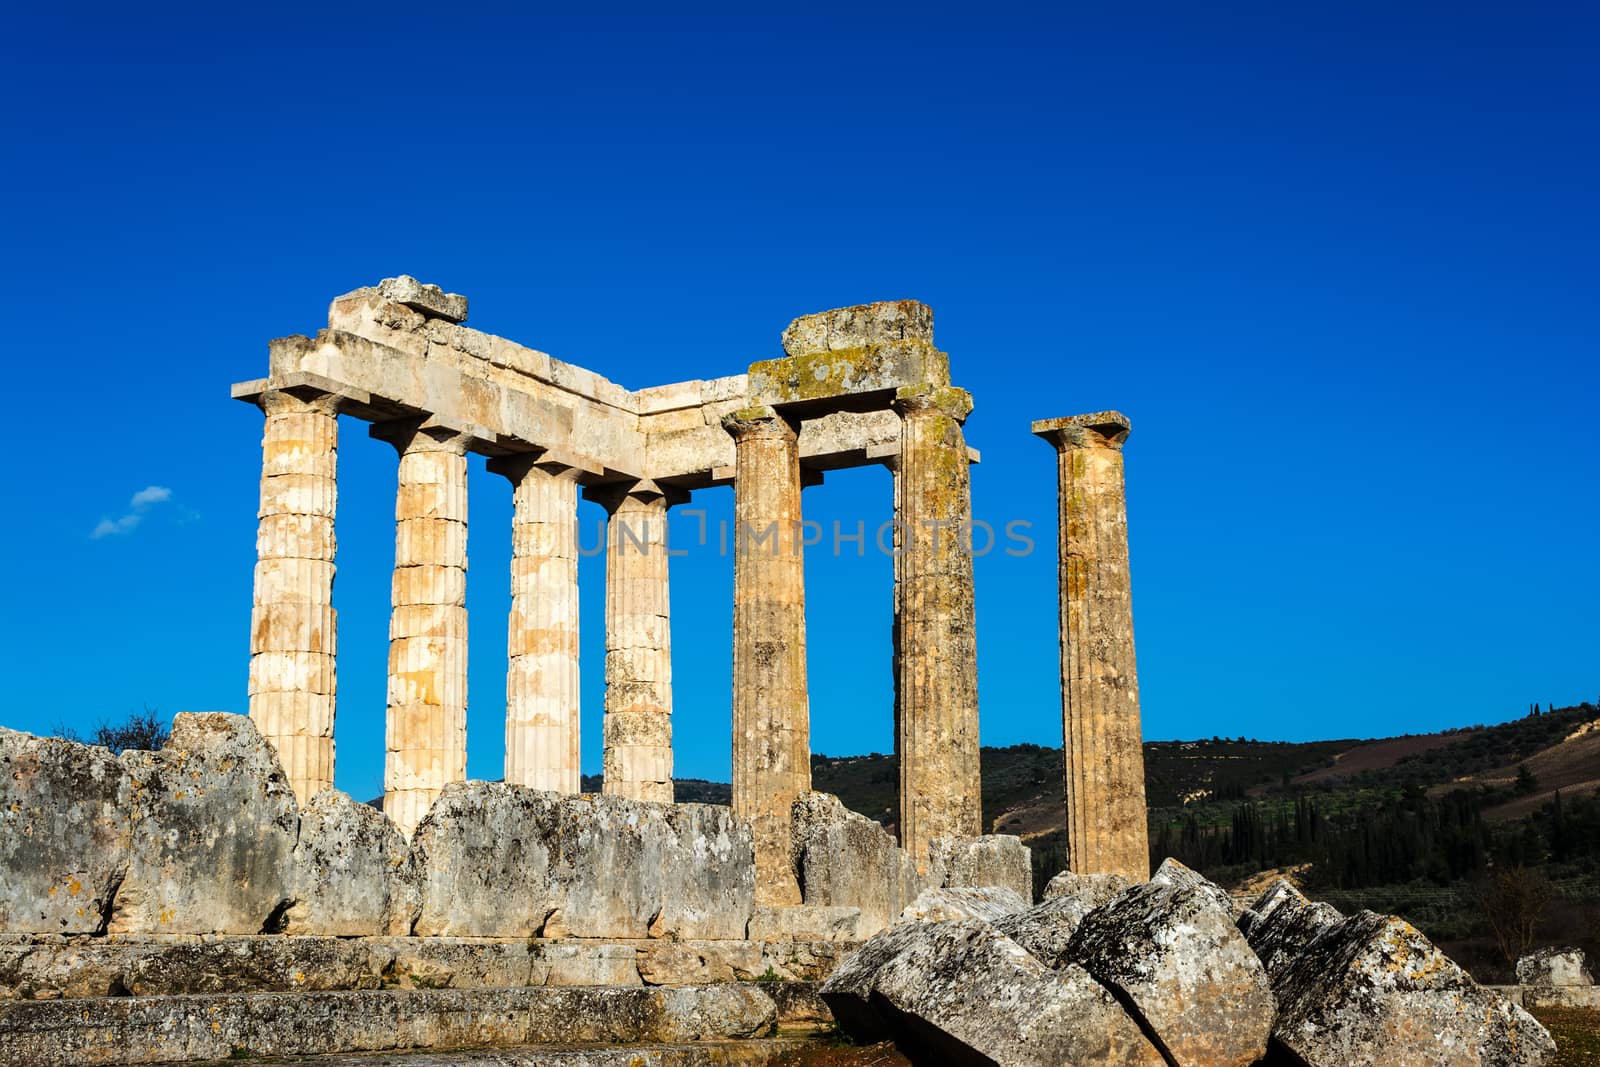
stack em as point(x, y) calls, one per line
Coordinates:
point(265, 1026)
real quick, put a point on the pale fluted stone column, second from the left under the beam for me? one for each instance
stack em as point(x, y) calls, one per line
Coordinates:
point(428, 628)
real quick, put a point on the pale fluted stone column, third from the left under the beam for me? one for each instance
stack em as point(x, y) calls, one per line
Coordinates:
point(542, 639)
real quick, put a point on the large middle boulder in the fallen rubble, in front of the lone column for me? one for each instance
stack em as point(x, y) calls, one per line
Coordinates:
point(1172, 954)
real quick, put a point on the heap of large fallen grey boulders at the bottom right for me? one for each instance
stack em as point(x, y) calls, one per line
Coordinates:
point(1161, 973)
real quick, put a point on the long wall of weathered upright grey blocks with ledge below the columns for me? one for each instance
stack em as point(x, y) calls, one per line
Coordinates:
point(159, 868)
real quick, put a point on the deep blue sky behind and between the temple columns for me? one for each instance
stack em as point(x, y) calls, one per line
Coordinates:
point(1340, 268)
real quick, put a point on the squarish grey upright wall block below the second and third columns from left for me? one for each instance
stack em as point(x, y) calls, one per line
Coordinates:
point(484, 861)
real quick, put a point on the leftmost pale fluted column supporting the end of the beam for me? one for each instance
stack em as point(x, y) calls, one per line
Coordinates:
point(292, 623)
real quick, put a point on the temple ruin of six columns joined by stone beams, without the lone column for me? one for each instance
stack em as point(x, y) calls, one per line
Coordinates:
point(855, 386)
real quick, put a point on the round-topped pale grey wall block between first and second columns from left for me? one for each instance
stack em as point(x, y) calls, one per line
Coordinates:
point(353, 873)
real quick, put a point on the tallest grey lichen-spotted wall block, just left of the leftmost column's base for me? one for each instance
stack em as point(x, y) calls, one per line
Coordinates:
point(212, 836)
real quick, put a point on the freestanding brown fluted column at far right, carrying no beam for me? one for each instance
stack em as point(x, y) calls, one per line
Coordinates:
point(1100, 689)
